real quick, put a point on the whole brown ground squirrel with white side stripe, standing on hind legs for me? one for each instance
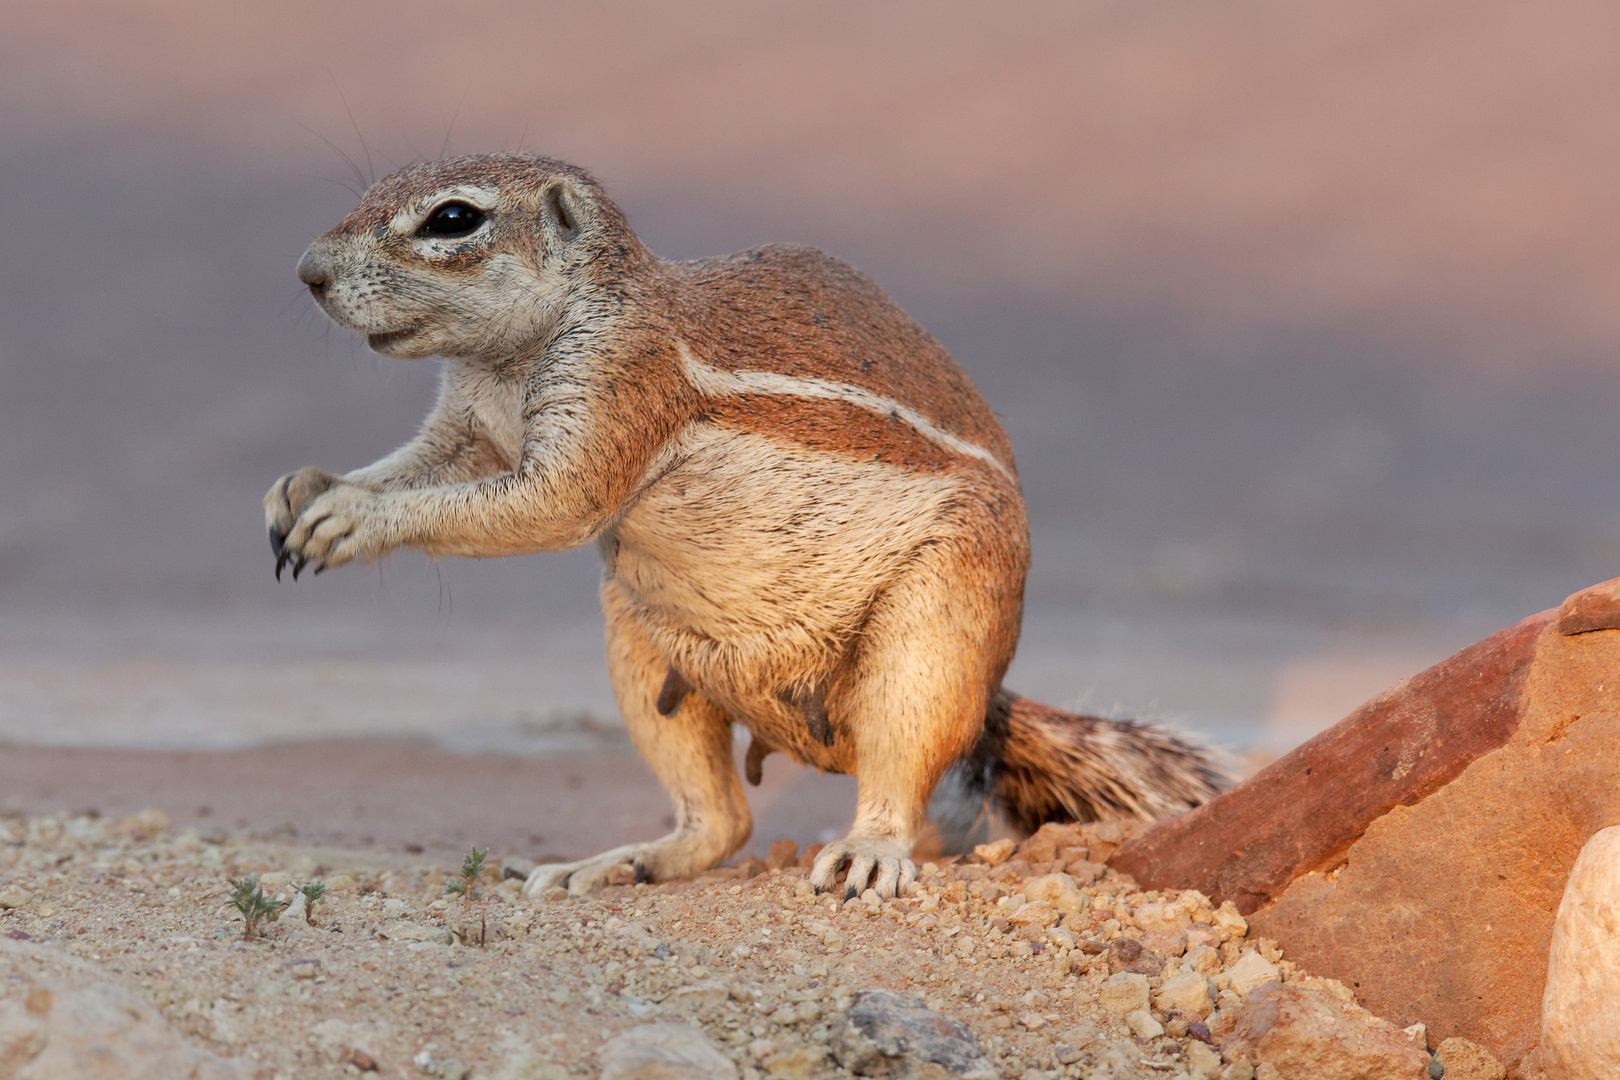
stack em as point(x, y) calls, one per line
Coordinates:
point(809, 519)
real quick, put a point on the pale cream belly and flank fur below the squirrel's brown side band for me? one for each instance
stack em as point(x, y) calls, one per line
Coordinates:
point(754, 564)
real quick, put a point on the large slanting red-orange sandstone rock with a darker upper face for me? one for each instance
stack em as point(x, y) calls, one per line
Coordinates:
point(1418, 853)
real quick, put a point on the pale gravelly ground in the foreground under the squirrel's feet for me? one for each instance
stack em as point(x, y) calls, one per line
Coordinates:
point(399, 980)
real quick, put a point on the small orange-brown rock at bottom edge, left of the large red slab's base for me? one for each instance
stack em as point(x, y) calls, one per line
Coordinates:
point(1311, 1034)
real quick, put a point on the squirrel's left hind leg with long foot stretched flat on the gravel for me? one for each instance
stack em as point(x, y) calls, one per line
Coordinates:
point(689, 750)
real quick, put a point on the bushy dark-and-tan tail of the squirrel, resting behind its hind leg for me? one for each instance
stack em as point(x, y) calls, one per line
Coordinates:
point(1046, 765)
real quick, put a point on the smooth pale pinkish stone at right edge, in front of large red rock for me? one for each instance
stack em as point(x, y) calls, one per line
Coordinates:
point(1580, 1039)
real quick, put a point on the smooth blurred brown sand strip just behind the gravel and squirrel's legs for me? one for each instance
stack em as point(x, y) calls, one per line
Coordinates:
point(406, 797)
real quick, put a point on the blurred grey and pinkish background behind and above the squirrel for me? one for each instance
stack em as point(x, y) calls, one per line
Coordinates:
point(1302, 318)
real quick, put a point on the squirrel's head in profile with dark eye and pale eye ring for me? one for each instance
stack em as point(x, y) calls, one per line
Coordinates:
point(474, 257)
